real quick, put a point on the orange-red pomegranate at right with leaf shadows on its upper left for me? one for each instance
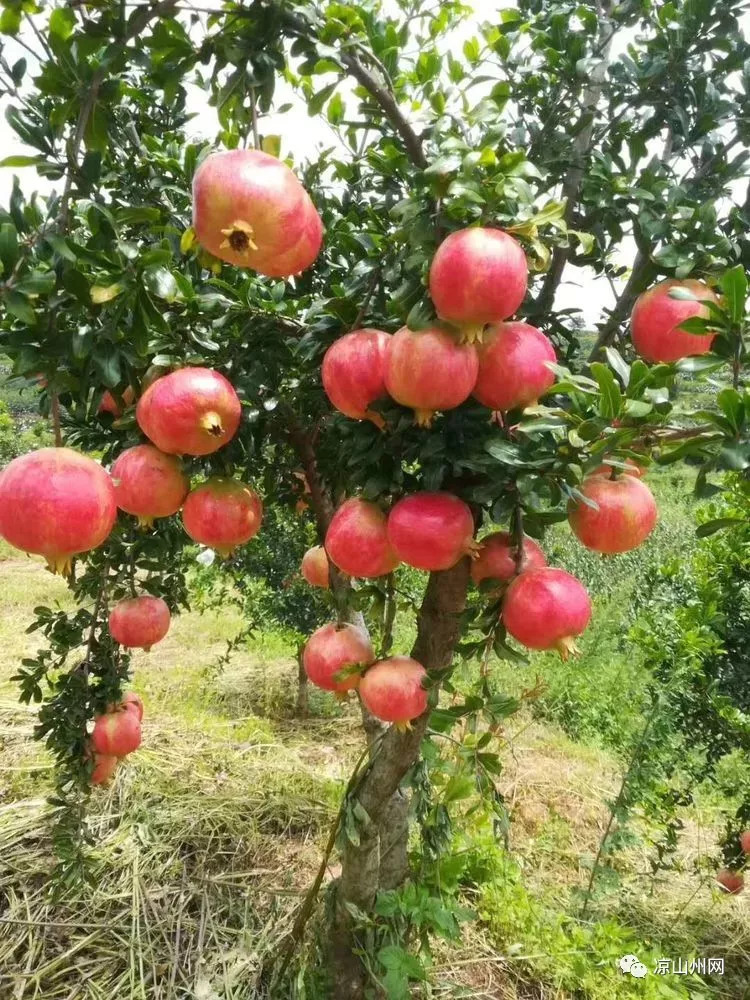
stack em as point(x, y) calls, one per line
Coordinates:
point(626, 515)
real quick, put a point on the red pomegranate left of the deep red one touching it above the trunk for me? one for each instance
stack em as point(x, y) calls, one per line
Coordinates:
point(357, 540)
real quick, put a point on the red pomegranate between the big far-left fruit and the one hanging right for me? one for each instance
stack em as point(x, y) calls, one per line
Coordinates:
point(149, 483)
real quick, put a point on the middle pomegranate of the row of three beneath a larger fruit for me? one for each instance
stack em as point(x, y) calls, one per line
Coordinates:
point(429, 370)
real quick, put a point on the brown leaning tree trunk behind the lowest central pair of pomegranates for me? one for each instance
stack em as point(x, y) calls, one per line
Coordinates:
point(381, 852)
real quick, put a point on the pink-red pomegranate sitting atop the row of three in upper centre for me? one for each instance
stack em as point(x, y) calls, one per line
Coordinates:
point(478, 276)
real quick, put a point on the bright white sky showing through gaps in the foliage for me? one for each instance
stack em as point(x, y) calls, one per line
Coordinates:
point(309, 134)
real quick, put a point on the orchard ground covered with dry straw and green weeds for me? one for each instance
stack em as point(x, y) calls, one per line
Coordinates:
point(209, 836)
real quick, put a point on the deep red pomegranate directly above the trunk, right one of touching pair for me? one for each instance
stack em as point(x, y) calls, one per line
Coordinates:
point(432, 531)
